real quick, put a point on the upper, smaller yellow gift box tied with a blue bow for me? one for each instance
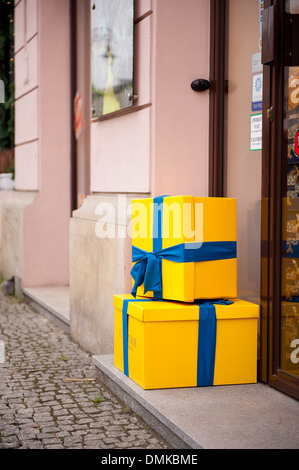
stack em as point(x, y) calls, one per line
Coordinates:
point(191, 240)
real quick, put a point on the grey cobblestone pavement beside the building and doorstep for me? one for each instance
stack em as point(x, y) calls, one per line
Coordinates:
point(49, 398)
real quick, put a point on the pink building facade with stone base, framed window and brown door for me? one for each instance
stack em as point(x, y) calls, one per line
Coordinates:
point(196, 97)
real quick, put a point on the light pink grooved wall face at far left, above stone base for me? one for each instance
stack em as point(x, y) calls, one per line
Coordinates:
point(26, 95)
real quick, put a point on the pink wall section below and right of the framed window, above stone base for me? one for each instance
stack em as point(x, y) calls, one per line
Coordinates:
point(163, 147)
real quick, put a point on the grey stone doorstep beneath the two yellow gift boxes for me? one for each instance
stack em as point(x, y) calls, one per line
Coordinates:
point(253, 416)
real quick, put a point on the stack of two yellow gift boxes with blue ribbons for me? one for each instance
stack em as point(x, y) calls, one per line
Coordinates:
point(183, 325)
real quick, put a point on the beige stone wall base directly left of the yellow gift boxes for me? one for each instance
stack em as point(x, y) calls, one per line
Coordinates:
point(99, 269)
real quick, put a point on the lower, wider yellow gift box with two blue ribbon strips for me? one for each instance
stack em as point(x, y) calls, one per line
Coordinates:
point(166, 344)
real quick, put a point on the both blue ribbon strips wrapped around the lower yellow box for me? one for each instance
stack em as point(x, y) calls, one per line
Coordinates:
point(207, 329)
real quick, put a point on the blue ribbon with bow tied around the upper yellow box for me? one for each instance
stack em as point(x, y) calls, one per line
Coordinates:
point(147, 269)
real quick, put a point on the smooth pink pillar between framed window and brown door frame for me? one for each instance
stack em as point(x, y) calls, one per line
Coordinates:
point(180, 115)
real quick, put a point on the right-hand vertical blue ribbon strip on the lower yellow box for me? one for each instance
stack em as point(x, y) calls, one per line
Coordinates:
point(207, 329)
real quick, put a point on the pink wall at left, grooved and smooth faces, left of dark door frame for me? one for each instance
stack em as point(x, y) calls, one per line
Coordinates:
point(42, 136)
